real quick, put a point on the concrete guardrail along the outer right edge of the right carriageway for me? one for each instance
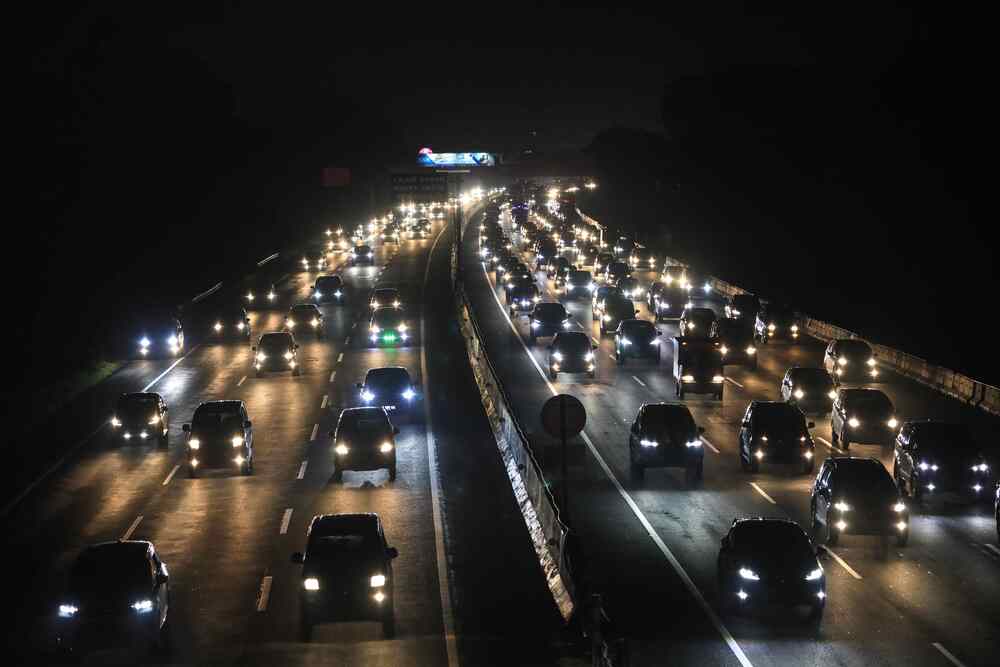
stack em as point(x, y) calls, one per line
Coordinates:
point(984, 396)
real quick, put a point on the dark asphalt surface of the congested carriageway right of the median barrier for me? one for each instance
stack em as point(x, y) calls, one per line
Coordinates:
point(651, 547)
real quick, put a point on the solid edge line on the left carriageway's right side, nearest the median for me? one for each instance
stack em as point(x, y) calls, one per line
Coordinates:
point(444, 582)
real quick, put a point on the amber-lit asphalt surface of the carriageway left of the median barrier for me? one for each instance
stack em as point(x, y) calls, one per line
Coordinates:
point(468, 589)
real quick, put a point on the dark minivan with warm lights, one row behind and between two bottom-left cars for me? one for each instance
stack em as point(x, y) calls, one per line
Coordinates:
point(220, 435)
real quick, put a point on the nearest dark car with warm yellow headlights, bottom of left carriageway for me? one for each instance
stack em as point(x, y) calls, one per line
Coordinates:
point(346, 573)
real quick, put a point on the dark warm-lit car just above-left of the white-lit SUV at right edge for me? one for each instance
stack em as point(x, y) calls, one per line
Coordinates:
point(863, 416)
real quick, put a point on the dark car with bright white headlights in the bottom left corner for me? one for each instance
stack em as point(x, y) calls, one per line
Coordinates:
point(118, 593)
